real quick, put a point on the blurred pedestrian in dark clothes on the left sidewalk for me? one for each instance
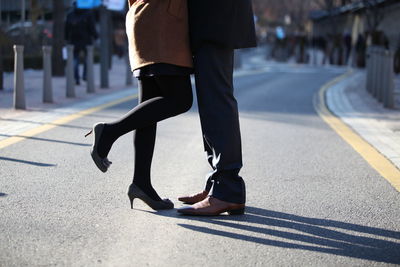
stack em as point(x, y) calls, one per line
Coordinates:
point(80, 31)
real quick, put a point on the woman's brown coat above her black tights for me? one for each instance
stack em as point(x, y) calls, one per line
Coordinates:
point(158, 32)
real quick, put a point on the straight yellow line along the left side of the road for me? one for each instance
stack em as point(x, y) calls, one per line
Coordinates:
point(64, 120)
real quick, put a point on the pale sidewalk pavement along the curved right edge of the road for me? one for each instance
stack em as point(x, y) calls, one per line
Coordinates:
point(380, 127)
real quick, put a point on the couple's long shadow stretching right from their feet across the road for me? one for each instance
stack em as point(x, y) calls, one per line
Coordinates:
point(267, 227)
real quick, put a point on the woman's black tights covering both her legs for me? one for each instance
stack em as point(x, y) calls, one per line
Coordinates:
point(160, 97)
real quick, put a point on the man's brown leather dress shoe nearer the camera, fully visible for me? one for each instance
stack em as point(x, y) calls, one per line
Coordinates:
point(212, 207)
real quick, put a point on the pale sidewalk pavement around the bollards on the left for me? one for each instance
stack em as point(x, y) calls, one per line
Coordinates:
point(16, 122)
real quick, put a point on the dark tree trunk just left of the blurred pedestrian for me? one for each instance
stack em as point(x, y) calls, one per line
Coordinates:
point(58, 37)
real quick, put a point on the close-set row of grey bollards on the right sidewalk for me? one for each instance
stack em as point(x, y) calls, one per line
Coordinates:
point(380, 75)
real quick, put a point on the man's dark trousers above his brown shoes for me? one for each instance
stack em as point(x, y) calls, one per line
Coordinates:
point(219, 121)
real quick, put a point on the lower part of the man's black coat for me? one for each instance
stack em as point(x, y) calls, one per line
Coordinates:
point(229, 23)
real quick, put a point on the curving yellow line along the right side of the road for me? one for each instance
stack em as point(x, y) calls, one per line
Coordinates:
point(379, 162)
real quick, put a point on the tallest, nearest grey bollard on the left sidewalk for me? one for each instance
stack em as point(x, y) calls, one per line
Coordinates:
point(19, 87)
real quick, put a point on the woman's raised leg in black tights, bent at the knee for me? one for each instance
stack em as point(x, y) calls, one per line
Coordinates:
point(175, 97)
